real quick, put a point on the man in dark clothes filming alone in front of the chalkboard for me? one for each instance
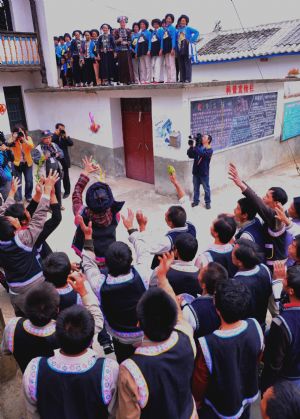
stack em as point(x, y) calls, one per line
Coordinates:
point(201, 151)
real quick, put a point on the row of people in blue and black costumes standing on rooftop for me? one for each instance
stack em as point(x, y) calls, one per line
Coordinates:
point(136, 55)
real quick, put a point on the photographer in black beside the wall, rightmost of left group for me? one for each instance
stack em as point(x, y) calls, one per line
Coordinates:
point(63, 141)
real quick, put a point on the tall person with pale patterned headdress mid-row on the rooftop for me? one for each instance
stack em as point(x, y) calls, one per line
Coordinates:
point(122, 37)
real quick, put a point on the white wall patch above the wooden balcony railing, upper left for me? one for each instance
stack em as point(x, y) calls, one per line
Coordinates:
point(21, 15)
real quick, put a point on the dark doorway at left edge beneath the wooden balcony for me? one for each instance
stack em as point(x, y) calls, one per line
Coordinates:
point(15, 107)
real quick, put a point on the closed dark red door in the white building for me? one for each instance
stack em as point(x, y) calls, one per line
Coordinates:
point(138, 142)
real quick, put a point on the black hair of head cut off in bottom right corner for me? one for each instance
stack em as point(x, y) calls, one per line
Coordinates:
point(285, 403)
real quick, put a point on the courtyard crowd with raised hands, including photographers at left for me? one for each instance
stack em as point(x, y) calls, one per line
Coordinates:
point(189, 331)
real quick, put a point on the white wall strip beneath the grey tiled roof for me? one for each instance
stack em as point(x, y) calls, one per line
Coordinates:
point(275, 67)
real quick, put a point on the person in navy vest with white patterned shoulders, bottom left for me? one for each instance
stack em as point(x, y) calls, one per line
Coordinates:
point(72, 384)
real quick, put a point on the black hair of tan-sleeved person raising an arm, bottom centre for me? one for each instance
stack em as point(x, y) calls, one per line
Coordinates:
point(157, 314)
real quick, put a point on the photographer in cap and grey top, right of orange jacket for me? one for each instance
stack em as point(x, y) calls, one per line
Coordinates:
point(47, 156)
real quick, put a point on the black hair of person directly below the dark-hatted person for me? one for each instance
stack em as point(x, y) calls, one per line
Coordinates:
point(118, 259)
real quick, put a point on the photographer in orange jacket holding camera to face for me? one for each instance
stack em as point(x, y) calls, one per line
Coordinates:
point(22, 145)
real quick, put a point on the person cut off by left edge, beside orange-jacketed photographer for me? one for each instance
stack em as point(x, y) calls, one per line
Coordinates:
point(6, 156)
